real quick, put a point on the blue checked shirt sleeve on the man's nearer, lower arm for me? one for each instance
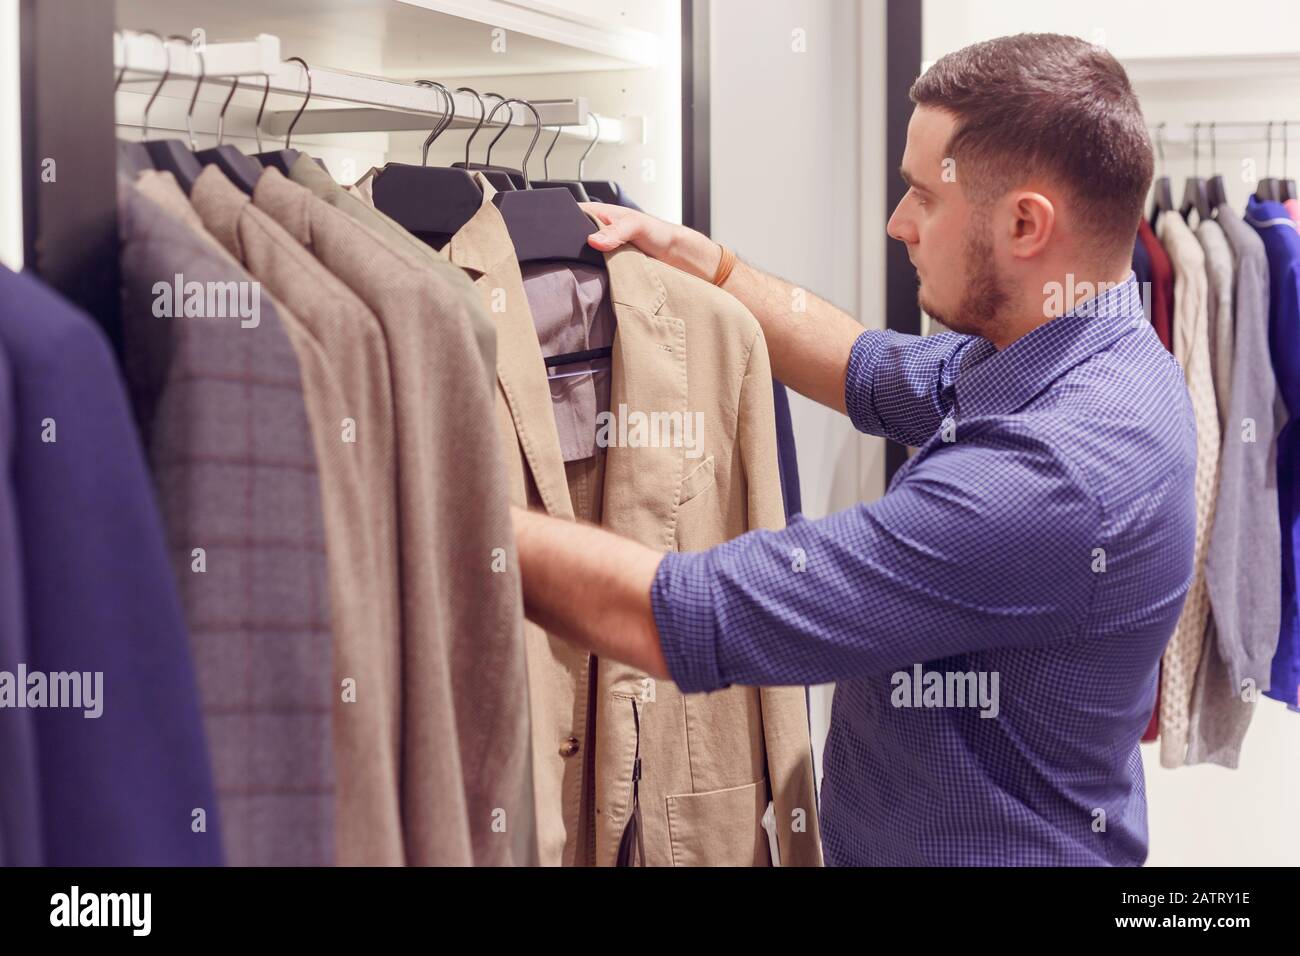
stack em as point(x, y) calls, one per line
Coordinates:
point(991, 543)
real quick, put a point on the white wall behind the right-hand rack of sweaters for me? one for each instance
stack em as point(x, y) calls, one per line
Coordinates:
point(1201, 815)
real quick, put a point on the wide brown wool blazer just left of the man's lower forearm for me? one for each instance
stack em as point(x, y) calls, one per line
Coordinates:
point(467, 790)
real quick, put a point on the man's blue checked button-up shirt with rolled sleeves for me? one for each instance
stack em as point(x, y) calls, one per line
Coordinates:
point(1045, 534)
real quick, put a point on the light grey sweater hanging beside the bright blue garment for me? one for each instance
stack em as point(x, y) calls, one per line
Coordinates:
point(1243, 566)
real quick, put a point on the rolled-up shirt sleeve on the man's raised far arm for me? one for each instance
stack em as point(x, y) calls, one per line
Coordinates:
point(899, 387)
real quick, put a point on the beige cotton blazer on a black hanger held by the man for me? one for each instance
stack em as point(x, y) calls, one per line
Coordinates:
point(710, 763)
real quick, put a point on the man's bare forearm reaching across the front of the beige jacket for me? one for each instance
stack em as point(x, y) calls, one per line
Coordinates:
point(591, 587)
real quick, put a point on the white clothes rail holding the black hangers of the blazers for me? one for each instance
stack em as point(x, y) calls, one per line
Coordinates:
point(379, 105)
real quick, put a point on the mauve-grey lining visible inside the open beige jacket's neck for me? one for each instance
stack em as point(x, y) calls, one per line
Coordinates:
point(571, 313)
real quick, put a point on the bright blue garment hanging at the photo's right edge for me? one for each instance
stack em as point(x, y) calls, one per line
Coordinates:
point(1282, 245)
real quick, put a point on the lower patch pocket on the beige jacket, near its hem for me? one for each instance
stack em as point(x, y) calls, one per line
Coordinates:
point(721, 828)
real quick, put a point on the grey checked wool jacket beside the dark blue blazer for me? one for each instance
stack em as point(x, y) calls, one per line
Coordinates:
point(222, 414)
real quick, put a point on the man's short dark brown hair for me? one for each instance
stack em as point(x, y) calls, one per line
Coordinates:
point(1046, 105)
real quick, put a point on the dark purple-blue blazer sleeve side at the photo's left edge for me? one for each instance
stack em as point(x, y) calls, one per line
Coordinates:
point(116, 790)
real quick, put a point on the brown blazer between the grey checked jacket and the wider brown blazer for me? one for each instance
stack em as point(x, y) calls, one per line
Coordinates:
point(345, 374)
